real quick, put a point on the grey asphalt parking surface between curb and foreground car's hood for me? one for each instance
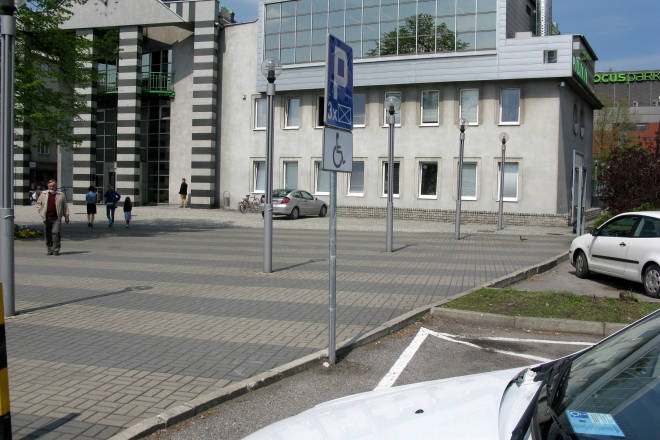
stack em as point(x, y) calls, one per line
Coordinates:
point(364, 368)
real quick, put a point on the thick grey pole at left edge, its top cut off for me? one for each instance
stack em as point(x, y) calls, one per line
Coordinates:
point(7, 39)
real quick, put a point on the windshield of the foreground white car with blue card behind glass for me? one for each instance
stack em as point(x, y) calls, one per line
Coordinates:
point(611, 390)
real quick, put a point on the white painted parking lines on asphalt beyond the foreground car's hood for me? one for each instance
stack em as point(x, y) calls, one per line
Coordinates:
point(401, 363)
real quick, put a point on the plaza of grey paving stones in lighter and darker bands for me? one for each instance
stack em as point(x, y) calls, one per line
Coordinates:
point(128, 322)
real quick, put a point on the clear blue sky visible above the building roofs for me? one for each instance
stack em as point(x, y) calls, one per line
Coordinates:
point(623, 33)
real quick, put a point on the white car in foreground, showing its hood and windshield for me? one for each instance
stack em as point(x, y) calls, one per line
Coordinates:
point(608, 391)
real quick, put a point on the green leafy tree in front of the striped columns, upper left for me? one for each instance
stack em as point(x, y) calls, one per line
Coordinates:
point(50, 64)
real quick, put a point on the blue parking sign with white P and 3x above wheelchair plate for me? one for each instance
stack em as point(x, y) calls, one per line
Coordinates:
point(339, 84)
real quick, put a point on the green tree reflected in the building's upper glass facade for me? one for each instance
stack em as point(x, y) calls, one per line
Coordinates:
point(419, 34)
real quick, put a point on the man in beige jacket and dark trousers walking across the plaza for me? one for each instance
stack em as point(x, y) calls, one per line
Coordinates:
point(52, 206)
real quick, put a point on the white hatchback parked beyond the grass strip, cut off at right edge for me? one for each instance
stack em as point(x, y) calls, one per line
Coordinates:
point(627, 246)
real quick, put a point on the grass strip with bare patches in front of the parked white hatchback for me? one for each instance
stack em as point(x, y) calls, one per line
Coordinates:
point(562, 305)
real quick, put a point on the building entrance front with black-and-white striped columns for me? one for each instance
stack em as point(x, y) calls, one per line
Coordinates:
point(167, 71)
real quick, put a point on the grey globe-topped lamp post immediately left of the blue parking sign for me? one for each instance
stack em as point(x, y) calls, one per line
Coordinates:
point(271, 69)
